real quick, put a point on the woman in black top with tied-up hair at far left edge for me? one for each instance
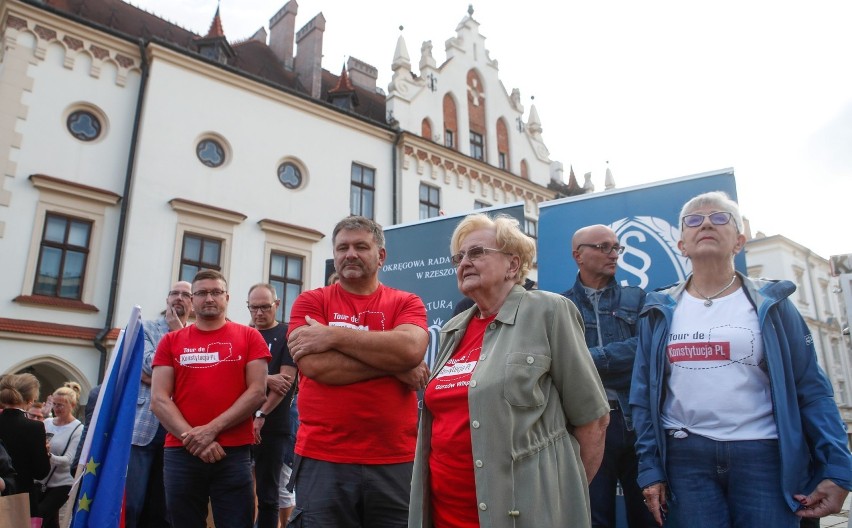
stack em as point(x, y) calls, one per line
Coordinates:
point(24, 439)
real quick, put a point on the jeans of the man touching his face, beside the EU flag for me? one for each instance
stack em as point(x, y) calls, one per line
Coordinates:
point(145, 489)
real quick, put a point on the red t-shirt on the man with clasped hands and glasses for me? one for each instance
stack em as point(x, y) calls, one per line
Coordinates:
point(210, 374)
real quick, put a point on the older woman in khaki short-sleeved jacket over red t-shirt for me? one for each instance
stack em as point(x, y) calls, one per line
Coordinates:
point(514, 415)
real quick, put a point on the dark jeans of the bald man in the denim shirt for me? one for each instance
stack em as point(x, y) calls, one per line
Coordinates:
point(619, 464)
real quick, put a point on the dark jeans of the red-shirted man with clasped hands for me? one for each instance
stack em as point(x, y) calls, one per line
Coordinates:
point(227, 484)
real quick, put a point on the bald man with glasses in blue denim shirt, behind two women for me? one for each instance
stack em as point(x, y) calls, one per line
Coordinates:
point(610, 312)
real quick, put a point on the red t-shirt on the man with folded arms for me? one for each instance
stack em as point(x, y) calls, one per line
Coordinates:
point(369, 422)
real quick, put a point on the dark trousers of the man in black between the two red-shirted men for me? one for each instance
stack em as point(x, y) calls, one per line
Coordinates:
point(268, 459)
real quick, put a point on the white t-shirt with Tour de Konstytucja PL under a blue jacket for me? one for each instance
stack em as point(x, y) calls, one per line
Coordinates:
point(717, 384)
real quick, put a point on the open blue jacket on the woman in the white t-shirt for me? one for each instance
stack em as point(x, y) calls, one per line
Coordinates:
point(811, 434)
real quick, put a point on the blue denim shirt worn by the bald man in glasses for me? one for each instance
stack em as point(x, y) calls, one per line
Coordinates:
point(618, 312)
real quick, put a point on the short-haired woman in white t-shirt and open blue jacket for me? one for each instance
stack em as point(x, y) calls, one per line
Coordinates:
point(736, 423)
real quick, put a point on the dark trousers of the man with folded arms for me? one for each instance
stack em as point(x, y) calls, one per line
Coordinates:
point(350, 495)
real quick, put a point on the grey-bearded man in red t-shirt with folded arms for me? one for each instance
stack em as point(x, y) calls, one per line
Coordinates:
point(359, 346)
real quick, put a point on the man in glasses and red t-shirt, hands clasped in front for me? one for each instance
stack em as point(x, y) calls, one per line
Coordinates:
point(209, 379)
